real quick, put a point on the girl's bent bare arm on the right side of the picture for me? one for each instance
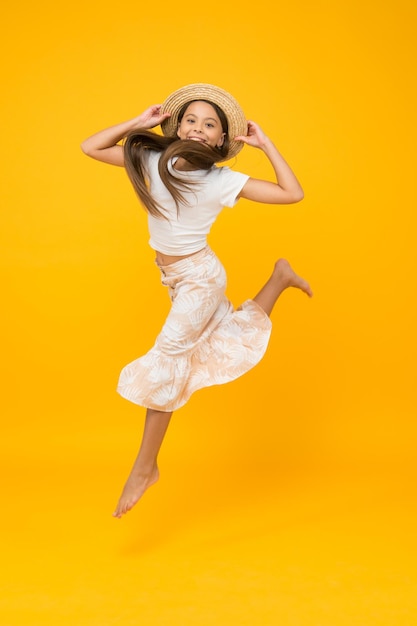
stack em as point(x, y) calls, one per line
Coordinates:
point(286, 189)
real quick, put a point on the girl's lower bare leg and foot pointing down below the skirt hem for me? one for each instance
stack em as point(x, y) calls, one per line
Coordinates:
point(145, 470)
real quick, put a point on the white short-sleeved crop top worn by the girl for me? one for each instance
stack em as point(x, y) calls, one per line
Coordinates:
point(186, 232)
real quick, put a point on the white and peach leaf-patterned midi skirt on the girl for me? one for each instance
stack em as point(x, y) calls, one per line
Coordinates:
point(203, 342)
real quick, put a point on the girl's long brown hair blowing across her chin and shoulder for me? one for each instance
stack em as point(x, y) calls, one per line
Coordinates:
point(200, 156)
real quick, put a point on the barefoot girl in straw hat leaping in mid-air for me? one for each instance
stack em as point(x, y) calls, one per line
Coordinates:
point(204, 341)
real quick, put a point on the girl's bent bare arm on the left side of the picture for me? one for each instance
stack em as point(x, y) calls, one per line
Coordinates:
point(104, 145)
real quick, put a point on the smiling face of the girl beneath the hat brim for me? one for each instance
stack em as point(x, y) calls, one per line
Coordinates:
point(200, 122)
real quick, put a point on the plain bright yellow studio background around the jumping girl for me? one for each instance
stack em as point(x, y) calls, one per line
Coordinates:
point(287, 497)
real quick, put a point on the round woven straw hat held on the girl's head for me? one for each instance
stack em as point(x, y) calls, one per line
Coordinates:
point(203, 91)
